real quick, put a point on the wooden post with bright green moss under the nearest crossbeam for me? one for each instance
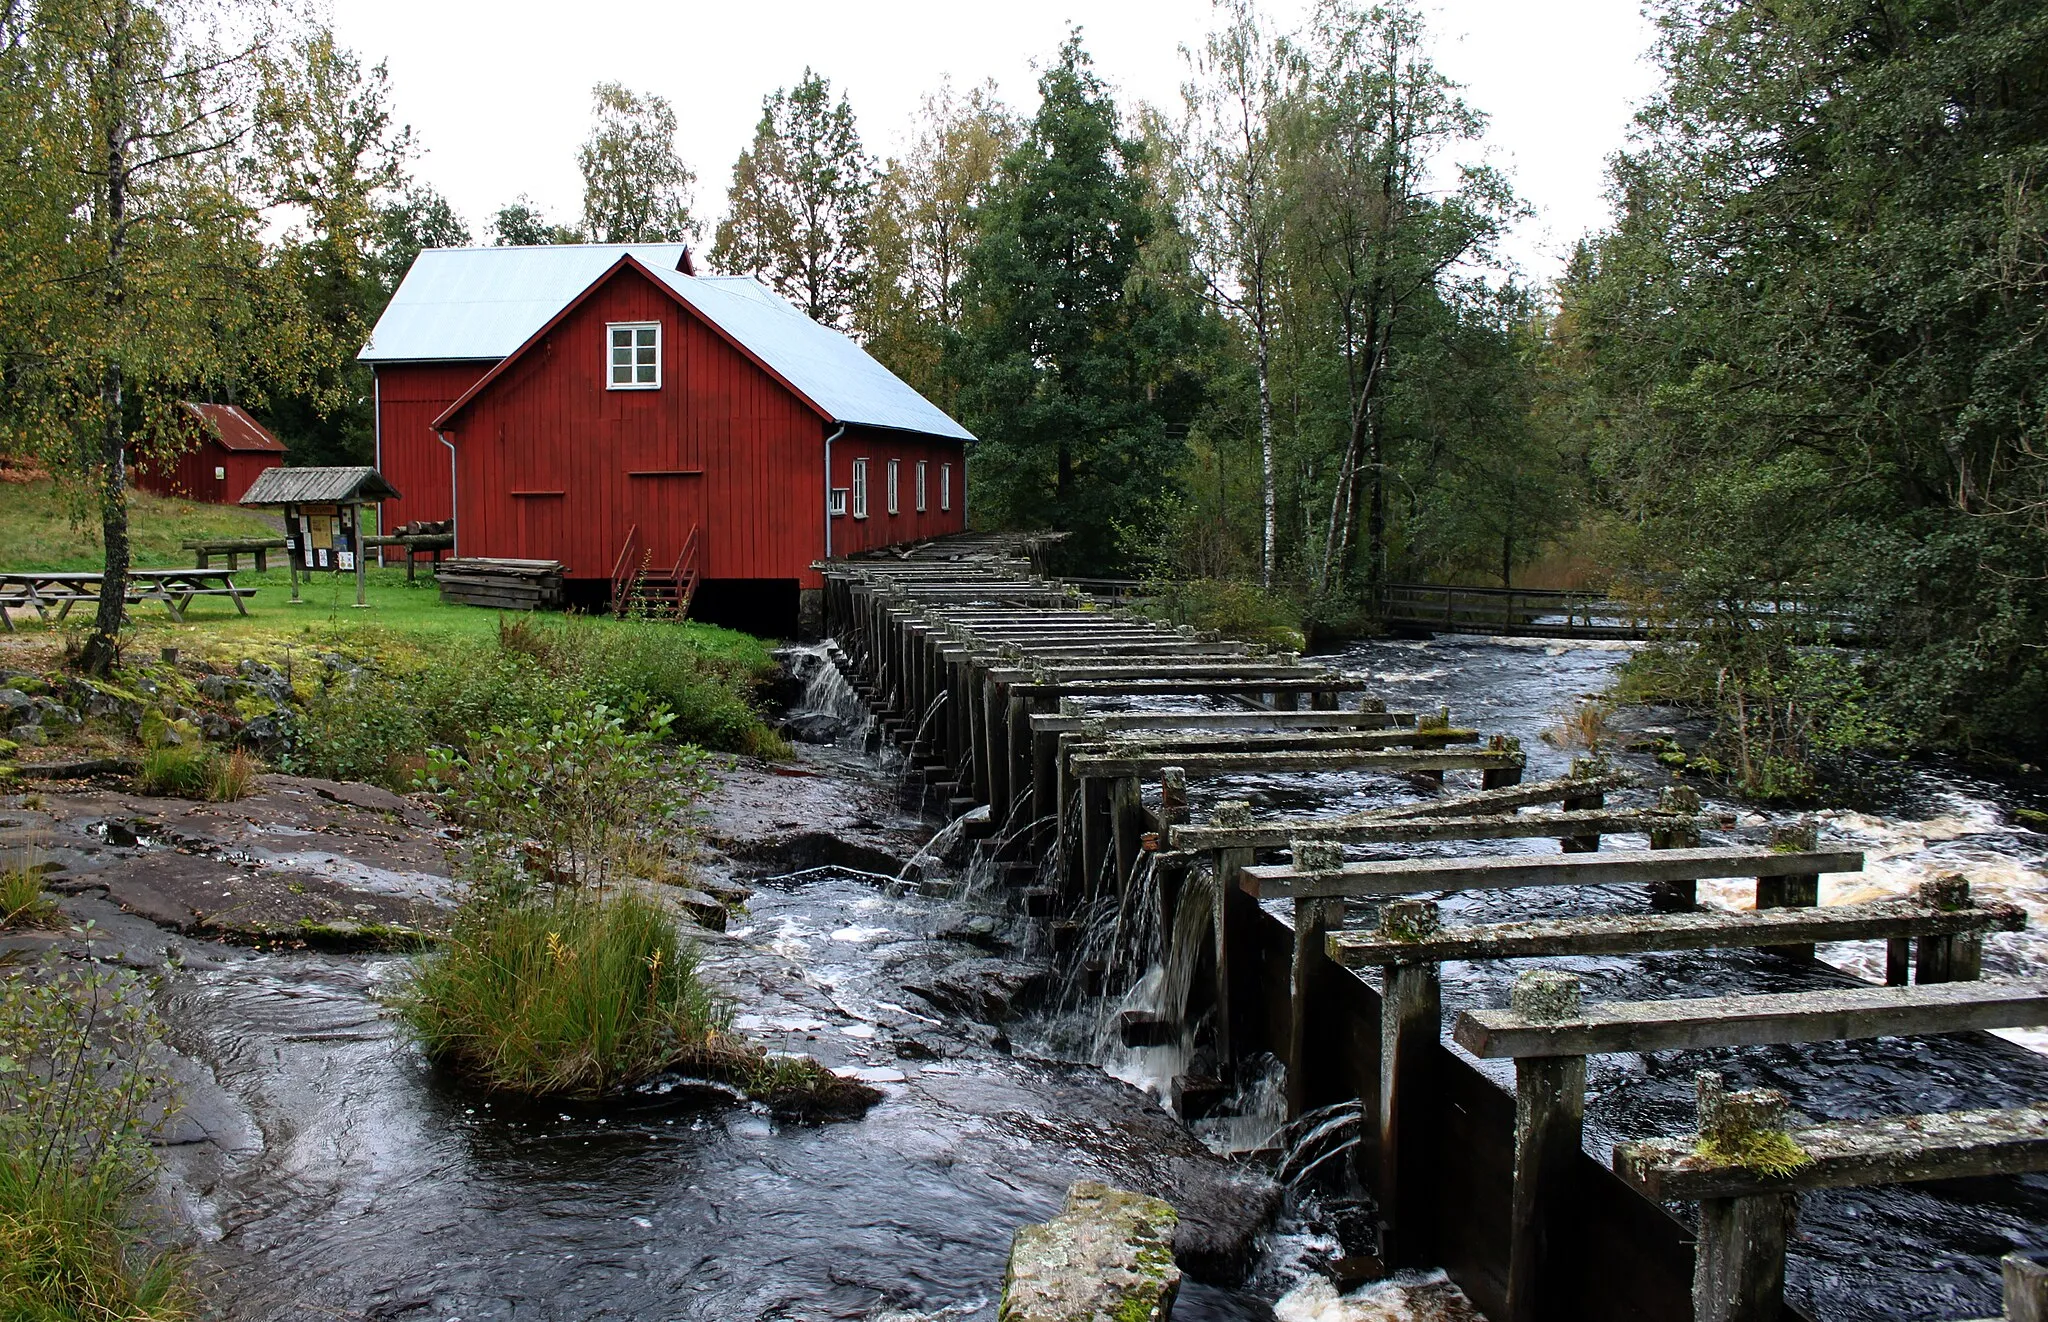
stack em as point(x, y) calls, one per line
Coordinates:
point(1740, 1266)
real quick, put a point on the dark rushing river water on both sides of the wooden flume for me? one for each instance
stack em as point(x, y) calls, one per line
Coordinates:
point(345, 1178)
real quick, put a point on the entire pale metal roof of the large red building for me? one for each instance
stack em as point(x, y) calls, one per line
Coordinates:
point(486, 302)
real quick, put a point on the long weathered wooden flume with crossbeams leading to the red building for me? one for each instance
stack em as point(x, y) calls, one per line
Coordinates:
point(1082, 725)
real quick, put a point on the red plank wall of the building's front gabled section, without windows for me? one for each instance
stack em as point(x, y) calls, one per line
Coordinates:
point(554, 466)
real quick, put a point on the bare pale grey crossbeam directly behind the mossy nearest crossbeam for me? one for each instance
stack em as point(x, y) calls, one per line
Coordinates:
point(1707, 1022)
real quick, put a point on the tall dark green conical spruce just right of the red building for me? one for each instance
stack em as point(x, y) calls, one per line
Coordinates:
point(1074, 330)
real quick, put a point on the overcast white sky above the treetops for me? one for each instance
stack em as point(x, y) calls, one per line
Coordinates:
point(501, 93)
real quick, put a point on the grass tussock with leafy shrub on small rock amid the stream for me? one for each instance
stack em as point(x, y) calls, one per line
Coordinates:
point(566, 973)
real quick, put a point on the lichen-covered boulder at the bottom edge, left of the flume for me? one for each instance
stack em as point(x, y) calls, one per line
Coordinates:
point(1109, 1258)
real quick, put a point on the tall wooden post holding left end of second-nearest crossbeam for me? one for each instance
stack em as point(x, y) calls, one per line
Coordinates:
point(1549, 1135)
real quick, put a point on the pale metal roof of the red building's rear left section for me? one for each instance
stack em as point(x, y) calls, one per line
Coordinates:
point(466, 304)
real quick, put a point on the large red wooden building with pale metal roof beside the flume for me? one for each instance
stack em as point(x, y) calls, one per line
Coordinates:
point(597, 406)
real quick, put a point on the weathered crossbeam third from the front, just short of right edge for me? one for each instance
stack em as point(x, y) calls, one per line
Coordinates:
point(1639, 934)
